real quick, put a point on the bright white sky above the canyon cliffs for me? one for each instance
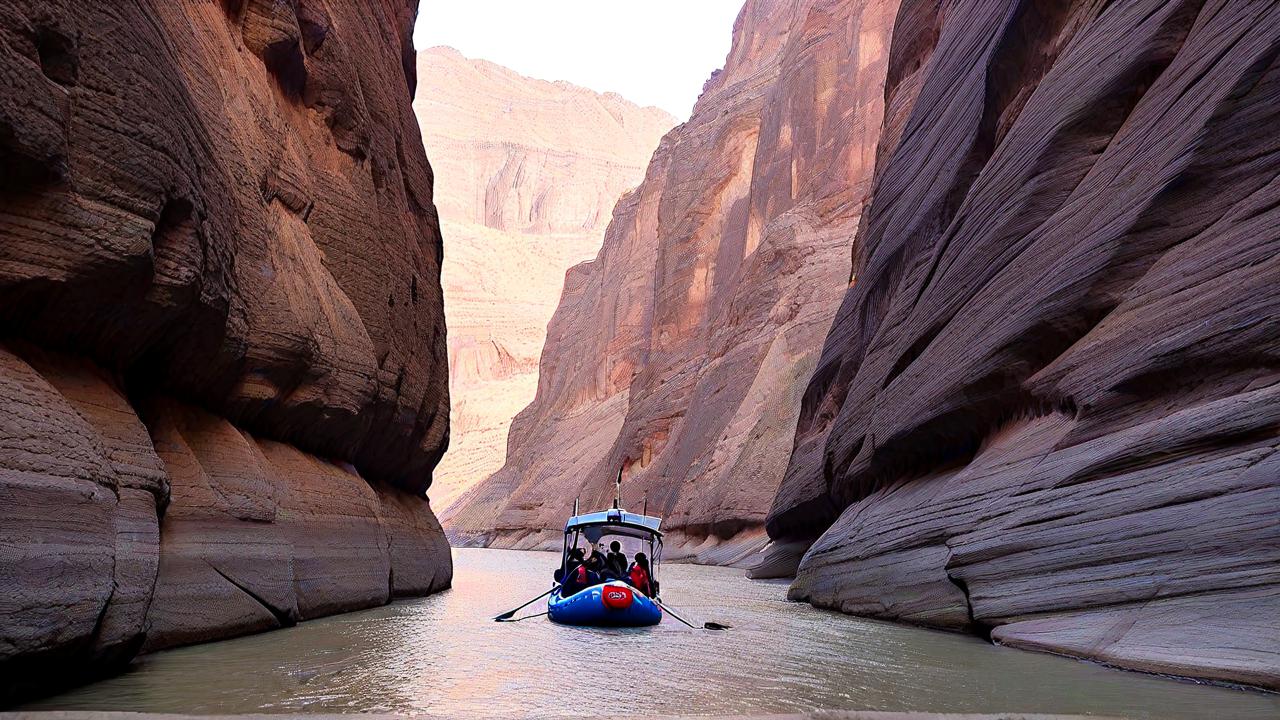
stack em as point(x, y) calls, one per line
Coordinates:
point(651, 52)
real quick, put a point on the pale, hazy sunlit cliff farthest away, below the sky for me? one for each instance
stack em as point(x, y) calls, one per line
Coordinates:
point(531, 172)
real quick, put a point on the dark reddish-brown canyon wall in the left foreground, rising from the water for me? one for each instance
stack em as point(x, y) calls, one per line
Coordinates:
point(225, 362)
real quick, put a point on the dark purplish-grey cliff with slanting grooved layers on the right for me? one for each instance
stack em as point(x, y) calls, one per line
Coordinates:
point(1048, 412)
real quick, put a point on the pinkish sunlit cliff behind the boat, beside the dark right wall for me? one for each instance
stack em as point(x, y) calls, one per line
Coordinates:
point(682, 352)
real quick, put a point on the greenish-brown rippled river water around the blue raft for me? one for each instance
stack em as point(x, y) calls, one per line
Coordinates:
point(445, 655)
